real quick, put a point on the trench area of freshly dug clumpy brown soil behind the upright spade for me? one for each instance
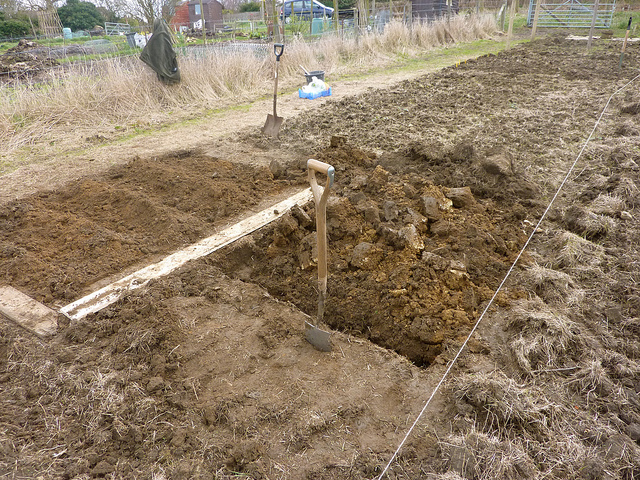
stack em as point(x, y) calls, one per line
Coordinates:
point(411, 259)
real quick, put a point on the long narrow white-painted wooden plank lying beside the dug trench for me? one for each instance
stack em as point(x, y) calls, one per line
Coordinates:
point(99, 299)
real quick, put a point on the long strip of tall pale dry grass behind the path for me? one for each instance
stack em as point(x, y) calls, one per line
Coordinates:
point(119, 96)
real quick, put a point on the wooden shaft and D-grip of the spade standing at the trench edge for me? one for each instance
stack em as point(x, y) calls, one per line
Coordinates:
point(320, 196)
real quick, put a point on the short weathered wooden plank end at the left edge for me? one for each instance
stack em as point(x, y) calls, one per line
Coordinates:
point(27, 312)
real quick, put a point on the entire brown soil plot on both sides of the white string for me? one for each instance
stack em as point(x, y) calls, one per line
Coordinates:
point(440, 180)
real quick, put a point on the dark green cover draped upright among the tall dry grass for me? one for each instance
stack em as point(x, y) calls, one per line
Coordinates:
point(158, 53)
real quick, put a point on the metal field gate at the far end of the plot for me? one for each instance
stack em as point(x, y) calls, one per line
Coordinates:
point(571, 13)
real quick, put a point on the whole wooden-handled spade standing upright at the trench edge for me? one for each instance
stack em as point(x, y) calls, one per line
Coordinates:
point(314, 335)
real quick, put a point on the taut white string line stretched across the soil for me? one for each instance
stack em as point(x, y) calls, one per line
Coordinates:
point(446, 373)
